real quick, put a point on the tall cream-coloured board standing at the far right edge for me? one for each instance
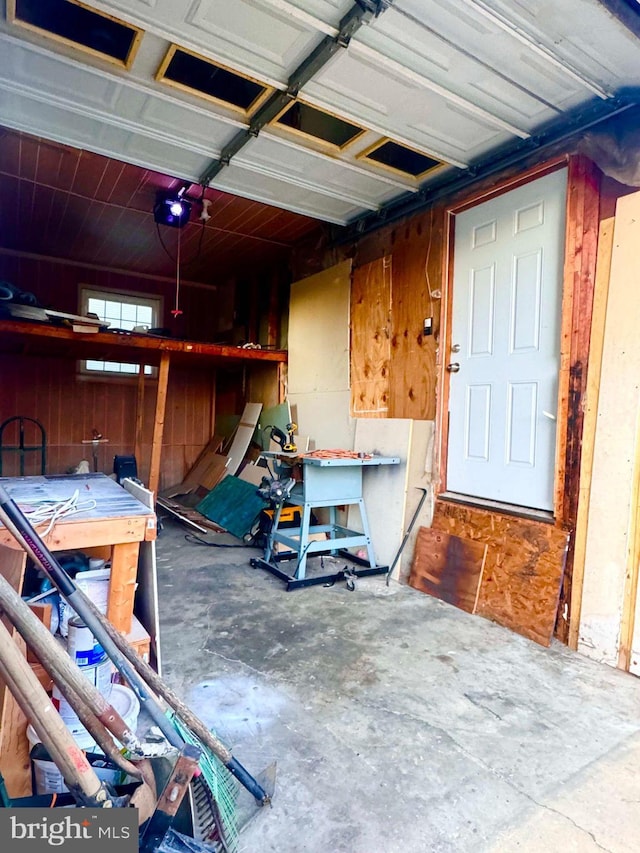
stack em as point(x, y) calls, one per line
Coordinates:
point(613, 536)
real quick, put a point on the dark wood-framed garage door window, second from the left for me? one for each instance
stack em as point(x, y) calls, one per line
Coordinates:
point(201, 76)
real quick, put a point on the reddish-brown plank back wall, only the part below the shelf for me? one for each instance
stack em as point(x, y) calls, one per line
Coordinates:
point(70, 407)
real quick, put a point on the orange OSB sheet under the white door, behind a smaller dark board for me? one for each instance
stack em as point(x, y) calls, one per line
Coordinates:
point(523, 572)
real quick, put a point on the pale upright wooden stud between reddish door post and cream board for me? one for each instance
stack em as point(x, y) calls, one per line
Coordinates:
point(603, 269)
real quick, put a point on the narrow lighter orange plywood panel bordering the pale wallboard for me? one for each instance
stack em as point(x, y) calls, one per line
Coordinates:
point(370, 338)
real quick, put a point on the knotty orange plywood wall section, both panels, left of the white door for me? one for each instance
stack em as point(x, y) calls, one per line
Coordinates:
point(398, 277)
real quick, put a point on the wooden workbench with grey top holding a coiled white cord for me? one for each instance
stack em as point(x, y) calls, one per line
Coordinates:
point(111, 529)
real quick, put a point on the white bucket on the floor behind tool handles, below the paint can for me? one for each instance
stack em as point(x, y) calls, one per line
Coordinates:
point(47, 777)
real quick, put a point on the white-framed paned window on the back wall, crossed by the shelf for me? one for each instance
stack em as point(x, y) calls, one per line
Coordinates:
point(122, 311)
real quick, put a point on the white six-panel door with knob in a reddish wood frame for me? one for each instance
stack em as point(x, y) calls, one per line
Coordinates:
point(505, 342)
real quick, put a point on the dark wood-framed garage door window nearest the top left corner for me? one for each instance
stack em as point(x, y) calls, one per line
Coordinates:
point(71, 22)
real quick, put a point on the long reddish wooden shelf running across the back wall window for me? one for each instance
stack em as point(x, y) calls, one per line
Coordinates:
point(22, 337)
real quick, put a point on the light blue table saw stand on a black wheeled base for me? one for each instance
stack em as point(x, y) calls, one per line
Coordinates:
point(327, 482)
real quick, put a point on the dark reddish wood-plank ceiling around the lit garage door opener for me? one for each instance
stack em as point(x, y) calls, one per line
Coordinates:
point(83, 207)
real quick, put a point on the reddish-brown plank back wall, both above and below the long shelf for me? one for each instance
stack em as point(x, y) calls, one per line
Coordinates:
point(70, 406)
